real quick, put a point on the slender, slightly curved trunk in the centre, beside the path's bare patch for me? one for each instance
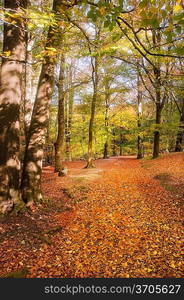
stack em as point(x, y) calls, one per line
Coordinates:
point(93, 108)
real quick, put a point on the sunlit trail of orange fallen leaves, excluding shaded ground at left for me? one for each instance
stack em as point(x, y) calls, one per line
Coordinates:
point(120, 223)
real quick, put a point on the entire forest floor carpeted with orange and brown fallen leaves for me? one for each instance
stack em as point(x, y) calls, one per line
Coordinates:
point(120, 219)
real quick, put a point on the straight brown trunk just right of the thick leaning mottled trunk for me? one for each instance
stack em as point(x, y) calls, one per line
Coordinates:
point(60, 142)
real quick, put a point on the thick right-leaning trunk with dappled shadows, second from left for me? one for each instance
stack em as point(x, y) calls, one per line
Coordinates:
point(32, 169)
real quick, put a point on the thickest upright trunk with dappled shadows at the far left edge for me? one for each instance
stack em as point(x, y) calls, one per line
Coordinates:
point(10, 102)
